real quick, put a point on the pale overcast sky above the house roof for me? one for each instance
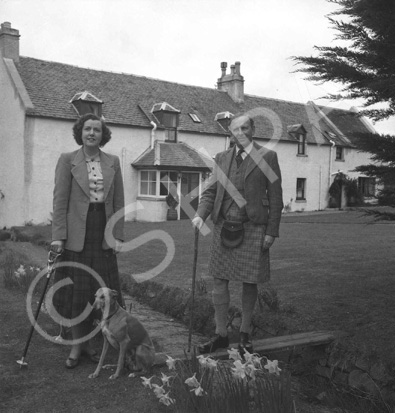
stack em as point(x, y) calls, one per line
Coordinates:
point(185, 41)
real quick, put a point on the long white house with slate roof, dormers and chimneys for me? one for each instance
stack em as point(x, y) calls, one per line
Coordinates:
point(164, 133)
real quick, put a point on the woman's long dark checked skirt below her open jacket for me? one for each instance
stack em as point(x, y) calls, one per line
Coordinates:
point(71, 300)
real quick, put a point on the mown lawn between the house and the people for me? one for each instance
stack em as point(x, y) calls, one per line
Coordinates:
point(333, 270)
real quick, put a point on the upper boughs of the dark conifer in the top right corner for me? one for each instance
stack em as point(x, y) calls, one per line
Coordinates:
point(366, 64)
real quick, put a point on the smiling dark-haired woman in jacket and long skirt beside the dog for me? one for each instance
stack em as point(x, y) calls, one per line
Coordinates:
point(88, 191)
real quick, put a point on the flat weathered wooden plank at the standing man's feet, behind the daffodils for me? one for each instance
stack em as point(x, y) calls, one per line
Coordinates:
point(268, 345)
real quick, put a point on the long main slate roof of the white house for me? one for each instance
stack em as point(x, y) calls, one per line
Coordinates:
point(128, 100)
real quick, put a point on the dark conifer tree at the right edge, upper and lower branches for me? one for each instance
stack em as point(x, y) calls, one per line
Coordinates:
point(365, 66)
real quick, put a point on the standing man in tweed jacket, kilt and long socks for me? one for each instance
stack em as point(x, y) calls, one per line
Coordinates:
point(245, 188)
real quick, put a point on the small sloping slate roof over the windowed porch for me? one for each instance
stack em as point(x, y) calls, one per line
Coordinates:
point(168, 155)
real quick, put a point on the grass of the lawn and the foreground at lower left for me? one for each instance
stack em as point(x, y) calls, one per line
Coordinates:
point(330, 271)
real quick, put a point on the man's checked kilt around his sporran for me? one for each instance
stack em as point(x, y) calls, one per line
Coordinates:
point(246, 263)
